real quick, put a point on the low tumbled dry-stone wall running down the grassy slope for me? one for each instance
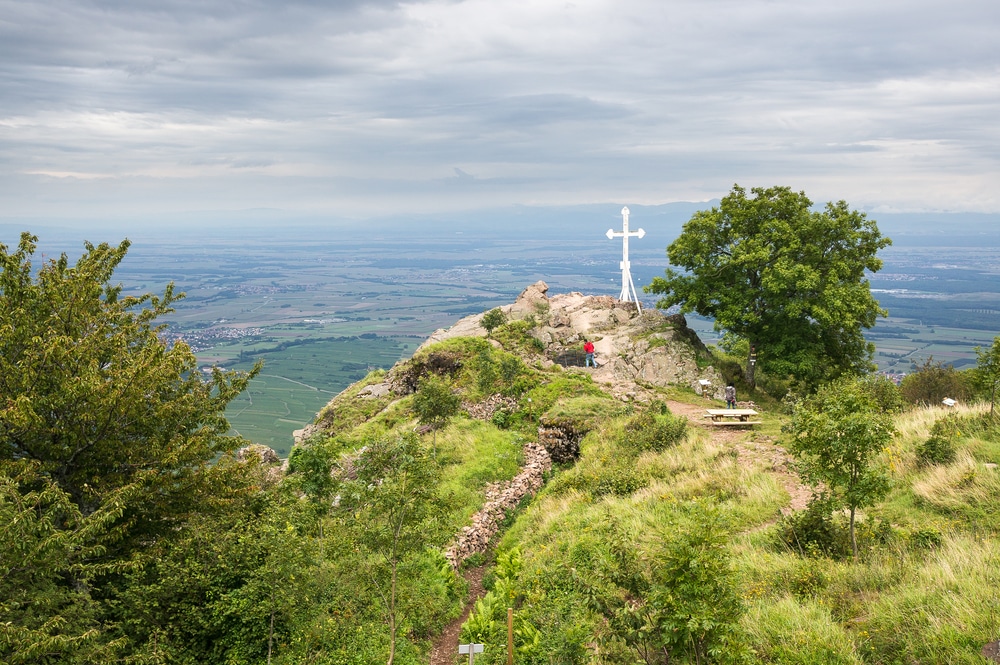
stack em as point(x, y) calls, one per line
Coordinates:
point(500, 499)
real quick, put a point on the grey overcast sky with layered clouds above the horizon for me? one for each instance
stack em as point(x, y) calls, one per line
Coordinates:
point(138, 108)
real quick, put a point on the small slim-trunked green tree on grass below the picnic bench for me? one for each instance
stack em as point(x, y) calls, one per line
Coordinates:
point(837, 435)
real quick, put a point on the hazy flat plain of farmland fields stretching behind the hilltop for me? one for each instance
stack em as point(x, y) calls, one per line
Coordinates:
point(323, 305)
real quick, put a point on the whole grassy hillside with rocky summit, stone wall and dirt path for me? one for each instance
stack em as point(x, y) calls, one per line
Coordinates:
point(621, 528)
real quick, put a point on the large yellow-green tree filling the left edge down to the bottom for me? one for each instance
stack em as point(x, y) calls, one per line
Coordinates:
point(109, 439)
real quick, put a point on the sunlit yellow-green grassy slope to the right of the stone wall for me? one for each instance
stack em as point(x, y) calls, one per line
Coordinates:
point(925, 591)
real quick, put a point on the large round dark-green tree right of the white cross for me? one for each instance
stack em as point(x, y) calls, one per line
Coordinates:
point(788, 280)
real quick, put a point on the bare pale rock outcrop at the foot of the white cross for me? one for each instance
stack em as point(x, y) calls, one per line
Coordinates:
point(630, 348)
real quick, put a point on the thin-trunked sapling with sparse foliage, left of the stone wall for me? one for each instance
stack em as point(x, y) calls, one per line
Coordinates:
point(389, 508)
